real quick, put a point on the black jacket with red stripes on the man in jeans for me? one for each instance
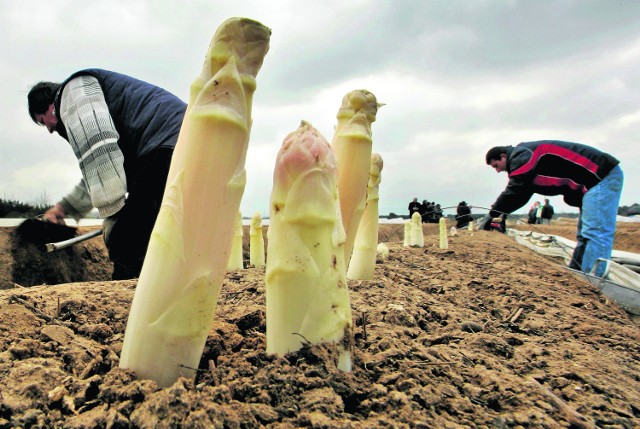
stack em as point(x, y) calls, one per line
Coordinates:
point(551, 167)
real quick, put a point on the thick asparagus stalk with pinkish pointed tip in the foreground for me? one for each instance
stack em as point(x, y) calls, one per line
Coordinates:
point(306, 286)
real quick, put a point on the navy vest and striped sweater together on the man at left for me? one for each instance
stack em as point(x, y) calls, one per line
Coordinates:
point(111, 121)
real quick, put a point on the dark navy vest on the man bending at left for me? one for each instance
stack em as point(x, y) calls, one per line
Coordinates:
point(146, 116)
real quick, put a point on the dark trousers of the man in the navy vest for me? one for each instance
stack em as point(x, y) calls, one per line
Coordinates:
point(128, 232)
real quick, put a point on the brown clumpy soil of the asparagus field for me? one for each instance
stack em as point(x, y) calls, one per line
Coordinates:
point(483, 334)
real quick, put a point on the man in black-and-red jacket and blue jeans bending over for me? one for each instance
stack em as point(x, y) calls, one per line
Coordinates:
point(587, 178)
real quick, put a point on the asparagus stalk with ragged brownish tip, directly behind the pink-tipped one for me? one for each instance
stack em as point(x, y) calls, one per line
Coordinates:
point(352, 141)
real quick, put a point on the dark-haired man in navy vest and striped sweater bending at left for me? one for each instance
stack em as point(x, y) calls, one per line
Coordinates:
point(122, 131)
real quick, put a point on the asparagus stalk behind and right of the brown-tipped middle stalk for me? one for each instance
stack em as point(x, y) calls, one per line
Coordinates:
point(363, 259)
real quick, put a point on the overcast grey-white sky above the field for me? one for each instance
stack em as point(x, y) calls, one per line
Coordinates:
point(456, 78)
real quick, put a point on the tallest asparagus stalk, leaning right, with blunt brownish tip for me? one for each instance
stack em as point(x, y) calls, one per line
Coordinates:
point(175, 299)
